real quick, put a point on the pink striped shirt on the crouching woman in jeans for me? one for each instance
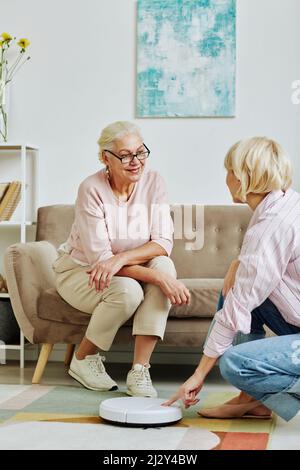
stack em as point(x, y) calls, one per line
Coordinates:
point(269, 268)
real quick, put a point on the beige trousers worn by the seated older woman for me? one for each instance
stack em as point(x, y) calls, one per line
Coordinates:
point(111, 308)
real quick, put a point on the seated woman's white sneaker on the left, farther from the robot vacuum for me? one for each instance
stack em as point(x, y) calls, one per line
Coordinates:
point(91, 373)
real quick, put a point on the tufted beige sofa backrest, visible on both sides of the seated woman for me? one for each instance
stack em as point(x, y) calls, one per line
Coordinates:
point(206, 238)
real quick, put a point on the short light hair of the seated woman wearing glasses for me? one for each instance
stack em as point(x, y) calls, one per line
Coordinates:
point(115, 131)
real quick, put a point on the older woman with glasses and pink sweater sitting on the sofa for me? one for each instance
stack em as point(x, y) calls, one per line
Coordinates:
point(115, 263)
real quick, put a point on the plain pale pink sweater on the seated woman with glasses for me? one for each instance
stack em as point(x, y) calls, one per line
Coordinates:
point(105, 226)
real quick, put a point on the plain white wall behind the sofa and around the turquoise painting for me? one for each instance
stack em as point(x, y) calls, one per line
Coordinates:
point(82, 76)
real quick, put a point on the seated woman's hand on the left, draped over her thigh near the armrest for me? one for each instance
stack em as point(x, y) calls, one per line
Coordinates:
point(102, 272)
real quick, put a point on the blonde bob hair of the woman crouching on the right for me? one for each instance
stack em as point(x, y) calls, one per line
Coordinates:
point(260, 164)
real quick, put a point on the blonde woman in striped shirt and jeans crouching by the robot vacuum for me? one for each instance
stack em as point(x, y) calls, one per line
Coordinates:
point(261, 288)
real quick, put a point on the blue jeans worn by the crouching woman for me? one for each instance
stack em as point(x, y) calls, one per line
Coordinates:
point(266, 369)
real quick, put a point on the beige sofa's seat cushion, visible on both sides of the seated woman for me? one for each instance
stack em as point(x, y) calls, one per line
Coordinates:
point(204, 297)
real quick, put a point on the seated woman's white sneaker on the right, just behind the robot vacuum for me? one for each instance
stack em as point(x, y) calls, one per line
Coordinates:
point(139, 382)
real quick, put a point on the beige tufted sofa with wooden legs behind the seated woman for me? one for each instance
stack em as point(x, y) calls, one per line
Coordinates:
point(46, 318)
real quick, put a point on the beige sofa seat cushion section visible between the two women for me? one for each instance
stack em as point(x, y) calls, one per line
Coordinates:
point(204, 298)
